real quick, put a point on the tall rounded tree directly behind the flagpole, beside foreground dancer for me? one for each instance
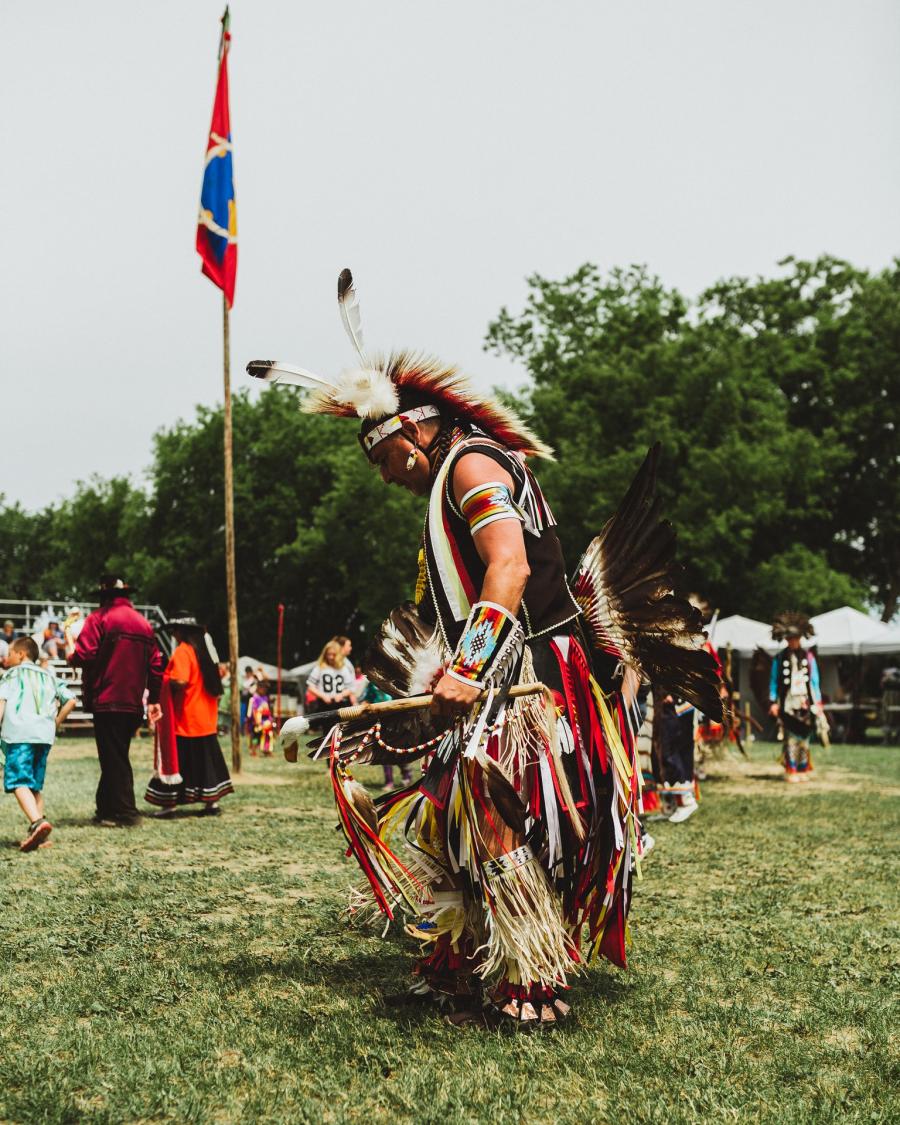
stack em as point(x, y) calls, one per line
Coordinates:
point(314, 527)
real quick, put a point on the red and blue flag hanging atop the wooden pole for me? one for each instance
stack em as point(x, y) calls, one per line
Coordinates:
point(218, 223)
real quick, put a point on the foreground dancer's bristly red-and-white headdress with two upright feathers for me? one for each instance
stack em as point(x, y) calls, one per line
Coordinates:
point(386, 386)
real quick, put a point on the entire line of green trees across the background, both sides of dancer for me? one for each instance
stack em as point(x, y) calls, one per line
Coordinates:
point(777, 402)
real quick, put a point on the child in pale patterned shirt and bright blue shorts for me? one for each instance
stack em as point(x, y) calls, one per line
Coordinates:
point(33, 705)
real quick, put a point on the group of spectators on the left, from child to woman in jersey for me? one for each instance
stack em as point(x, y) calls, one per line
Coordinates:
point(125, 682)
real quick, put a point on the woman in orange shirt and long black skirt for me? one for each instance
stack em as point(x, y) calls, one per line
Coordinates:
point(194, 683)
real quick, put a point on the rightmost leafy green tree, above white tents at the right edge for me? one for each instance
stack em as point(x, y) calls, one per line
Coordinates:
point(829, 336)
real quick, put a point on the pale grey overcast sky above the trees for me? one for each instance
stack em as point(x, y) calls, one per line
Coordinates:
point(443, 151)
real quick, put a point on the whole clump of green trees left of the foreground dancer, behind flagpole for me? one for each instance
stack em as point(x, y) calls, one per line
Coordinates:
point(316, 529)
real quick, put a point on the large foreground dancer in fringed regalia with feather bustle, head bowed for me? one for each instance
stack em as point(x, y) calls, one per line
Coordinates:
point(514, 853)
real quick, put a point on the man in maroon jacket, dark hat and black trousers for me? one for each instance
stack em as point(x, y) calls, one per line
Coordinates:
point(121, 660)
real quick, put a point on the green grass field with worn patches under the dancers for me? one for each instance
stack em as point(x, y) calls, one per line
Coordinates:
point(200, 970)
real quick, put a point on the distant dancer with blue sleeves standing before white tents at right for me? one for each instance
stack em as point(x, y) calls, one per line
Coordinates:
point(795, 697)
